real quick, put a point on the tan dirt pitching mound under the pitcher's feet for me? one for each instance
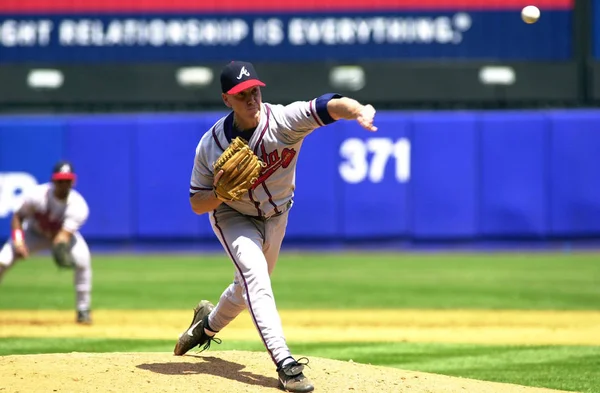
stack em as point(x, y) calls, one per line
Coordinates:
point(216, 372)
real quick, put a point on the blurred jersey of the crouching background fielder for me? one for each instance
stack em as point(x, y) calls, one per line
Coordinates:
point(46, 215)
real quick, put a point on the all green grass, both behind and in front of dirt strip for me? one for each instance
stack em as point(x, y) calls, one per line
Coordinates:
point(512, 281)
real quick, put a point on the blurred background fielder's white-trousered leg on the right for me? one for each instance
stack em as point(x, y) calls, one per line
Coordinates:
point(82, 277)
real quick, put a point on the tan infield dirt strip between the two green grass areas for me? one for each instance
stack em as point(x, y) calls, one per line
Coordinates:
point(451, 326)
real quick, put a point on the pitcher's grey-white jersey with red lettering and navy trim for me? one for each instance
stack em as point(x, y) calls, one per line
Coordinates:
point(276, 140)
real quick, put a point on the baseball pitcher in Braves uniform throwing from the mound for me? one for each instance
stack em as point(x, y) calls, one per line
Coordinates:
point(244, 177)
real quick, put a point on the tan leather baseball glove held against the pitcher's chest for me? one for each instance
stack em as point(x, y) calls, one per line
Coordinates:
point(241, 168)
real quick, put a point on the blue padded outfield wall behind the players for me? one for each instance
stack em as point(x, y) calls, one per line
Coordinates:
point(422, 176)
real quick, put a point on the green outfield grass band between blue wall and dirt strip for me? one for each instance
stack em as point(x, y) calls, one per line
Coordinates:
point(432, 281)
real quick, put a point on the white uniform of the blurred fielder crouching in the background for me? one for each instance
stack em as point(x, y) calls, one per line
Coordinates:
point(43, 217)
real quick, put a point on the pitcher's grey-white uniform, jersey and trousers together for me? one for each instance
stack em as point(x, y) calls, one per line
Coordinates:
point(251, 230)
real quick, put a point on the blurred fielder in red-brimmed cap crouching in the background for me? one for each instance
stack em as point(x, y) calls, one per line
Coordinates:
point(49, 219)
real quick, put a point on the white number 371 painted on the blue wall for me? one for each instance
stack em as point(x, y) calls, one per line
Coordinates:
point(367, 159)
